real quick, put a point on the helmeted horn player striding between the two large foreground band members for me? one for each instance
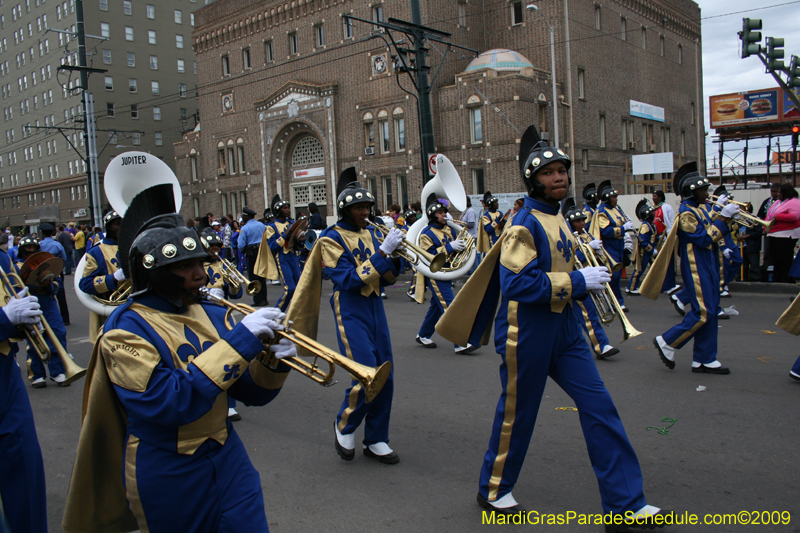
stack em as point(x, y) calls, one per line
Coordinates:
point(359, 265)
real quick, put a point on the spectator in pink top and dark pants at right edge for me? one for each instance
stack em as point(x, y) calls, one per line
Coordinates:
point(783, 235)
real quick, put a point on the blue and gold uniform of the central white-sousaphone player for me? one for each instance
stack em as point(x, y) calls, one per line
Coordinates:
point(435, 239)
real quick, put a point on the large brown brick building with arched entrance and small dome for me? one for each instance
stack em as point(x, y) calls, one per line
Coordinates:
point(291, 94)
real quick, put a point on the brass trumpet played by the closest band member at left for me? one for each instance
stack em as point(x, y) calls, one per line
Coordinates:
point(371, 379)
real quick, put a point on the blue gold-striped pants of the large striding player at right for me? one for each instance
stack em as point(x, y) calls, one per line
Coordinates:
point(562, 354)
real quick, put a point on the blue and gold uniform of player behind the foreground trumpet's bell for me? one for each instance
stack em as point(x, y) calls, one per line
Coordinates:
point(358, 271)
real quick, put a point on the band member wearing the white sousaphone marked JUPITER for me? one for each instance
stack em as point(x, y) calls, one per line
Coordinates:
point(102, 274)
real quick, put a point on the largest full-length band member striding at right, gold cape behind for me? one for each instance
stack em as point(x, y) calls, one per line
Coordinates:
point(537, 336)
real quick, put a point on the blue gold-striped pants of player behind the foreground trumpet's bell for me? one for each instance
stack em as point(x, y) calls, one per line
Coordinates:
point(364, 337)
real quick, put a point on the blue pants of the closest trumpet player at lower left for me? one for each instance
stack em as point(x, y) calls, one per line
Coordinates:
point(219, 487)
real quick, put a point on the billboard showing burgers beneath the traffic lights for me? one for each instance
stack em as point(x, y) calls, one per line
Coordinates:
point(751, 107)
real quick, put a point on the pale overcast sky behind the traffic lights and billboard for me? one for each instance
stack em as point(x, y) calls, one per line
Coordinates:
point(725, 72)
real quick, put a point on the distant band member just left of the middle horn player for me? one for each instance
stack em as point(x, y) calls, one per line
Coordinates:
point(287, 260)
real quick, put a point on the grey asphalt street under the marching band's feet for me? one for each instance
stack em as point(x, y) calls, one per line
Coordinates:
point(732, 447)
